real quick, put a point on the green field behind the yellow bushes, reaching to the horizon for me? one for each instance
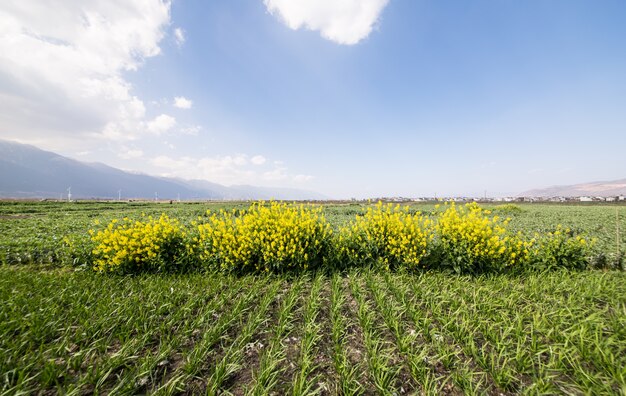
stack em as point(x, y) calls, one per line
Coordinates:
point(33, 232)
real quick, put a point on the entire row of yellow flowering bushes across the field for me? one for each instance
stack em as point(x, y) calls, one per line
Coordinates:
point(279, 237)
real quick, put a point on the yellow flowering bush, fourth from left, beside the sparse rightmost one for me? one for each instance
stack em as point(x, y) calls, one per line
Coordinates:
point(469, 241)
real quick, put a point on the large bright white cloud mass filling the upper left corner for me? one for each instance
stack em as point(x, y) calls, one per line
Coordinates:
point(62, 67)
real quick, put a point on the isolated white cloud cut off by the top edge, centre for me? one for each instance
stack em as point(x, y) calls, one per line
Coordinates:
point(342, 21)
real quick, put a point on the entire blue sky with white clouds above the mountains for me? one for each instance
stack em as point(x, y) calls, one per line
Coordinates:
point(348, 98)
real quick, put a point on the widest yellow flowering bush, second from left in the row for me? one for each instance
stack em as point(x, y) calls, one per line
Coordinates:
point(267, 237)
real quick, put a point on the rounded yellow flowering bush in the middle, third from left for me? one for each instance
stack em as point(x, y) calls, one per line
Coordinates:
point(385, 236)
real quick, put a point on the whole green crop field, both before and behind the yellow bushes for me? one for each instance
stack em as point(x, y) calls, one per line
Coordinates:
point(66, 330)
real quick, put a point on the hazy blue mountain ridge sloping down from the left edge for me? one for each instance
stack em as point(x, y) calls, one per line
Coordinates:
point(29, 172)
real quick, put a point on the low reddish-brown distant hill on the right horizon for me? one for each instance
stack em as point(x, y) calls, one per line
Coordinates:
point(593, 189)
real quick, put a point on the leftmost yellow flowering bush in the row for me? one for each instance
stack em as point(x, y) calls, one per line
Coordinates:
point(152, 245)
